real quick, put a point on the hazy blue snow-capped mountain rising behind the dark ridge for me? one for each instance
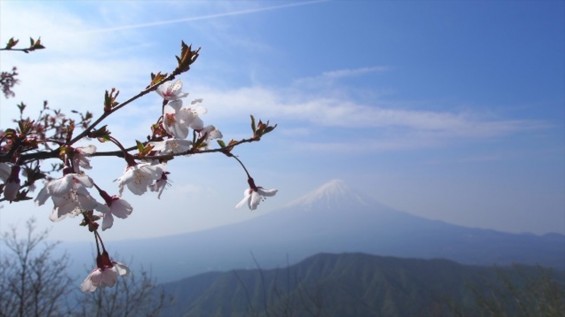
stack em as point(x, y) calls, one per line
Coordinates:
point(335, 219)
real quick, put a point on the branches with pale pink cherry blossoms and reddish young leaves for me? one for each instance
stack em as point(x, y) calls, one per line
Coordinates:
point(179, 131)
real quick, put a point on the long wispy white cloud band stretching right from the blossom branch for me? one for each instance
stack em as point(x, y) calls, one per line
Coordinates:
point(327, 112)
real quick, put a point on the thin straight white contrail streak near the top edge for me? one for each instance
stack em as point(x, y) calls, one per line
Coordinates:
point(201, 17)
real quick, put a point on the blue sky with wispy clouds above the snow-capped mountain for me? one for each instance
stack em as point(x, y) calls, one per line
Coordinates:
point(447, 110)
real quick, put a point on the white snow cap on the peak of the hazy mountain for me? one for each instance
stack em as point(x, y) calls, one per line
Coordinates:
point(332, 194)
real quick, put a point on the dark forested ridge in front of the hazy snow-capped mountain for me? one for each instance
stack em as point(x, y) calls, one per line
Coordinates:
point(365, 285)
